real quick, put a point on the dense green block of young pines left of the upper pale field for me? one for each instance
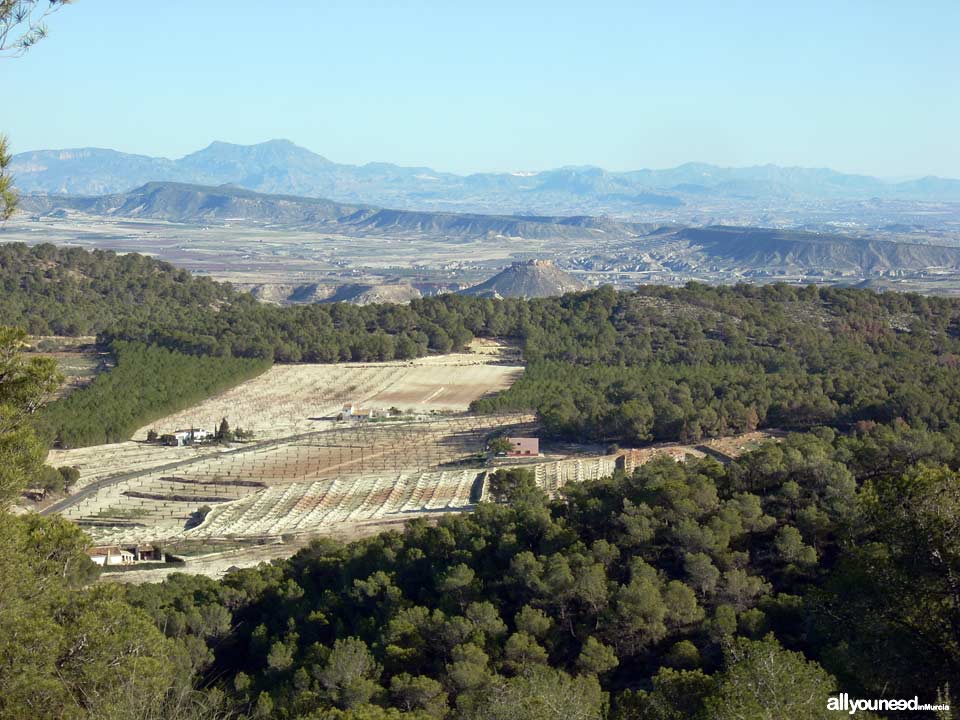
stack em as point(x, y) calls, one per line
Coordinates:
point(147, 383)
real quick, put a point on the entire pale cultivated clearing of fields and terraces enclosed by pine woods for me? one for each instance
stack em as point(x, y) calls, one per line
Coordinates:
point(307, 473)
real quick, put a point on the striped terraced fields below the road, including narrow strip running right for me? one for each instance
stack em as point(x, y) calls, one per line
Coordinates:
point(371, 490)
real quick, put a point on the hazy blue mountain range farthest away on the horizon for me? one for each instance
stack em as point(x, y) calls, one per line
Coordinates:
point(281, 167)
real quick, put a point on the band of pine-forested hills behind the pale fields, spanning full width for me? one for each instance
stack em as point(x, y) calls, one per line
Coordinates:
point(654, 364)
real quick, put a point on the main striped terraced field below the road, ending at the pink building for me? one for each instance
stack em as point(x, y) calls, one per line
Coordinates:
point(356, 473)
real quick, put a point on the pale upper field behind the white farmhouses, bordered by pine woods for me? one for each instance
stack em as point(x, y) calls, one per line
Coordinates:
point(293, 399)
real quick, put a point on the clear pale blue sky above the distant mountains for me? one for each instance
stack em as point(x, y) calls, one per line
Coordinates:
point(460, 86)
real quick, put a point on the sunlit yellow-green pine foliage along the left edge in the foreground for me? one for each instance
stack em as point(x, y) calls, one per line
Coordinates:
point(70, 649)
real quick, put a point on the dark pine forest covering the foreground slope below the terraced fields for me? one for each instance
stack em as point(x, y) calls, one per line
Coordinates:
point(756, 589)
